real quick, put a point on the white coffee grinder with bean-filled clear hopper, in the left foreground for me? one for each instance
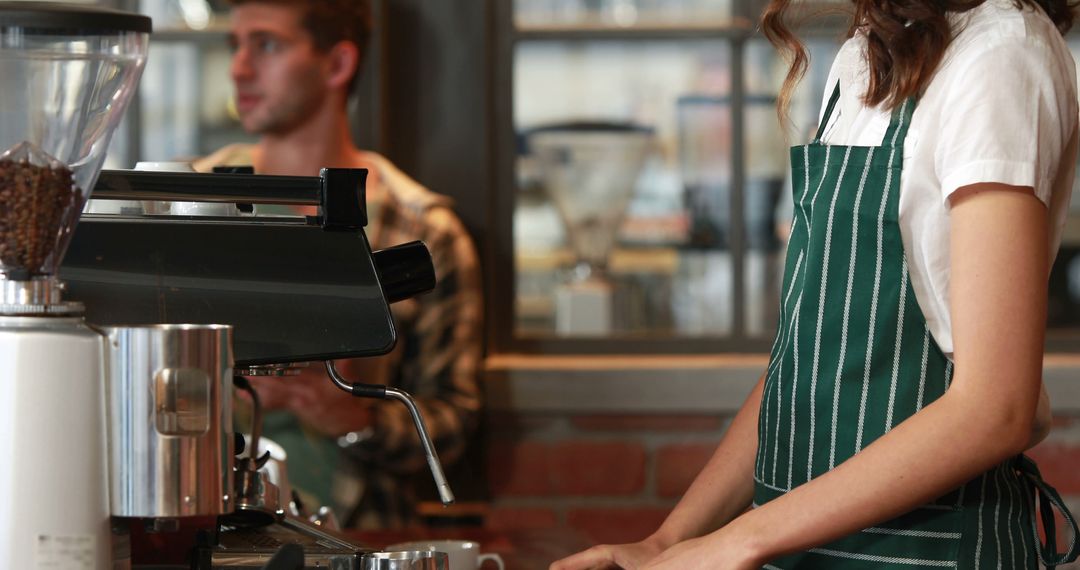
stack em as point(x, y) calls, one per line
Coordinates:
point(69, 74)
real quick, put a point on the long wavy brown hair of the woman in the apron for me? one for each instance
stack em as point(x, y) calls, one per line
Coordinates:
point(906, 42)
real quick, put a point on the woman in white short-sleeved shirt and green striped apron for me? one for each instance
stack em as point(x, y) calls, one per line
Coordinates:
point(906, 377)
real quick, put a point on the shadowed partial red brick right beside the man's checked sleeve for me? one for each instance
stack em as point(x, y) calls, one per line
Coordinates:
point(519, 469)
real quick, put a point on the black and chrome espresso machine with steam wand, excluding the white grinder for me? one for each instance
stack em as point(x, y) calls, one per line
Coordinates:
point(222, 298)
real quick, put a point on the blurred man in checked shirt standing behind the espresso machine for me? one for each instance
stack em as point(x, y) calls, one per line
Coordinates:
point(294, 65)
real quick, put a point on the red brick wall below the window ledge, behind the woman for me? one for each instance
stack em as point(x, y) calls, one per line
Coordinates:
point(615, 478)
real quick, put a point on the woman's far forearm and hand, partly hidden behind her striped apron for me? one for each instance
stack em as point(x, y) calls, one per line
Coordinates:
point(722, 492)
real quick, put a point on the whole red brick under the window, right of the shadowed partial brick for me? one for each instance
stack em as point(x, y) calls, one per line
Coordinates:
point(609, 469)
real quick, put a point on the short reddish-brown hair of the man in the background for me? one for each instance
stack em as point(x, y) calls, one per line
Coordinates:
point(330, 22)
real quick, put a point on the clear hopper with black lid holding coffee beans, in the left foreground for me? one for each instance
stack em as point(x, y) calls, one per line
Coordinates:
point(69, 74)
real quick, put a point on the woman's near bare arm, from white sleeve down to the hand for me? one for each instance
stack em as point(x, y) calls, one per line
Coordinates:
point(998, 294)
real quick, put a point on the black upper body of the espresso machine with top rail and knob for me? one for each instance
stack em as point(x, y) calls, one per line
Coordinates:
point(295, 289)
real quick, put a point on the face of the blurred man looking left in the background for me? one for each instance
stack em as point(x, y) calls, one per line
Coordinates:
point(277, 71)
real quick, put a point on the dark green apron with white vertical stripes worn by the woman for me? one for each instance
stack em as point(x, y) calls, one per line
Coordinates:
point(854, 358)
